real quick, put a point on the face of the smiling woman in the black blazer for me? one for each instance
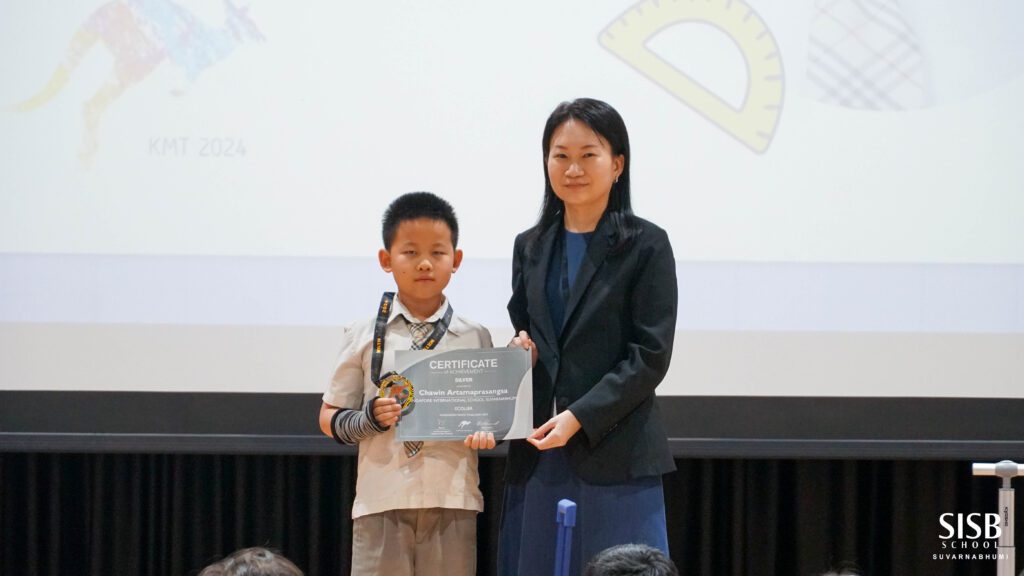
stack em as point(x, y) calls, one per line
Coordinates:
point(582, 167)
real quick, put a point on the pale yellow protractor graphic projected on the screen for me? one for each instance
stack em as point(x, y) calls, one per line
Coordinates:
point(754, 125)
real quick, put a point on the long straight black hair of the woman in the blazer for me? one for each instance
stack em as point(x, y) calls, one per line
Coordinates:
point(607, 122)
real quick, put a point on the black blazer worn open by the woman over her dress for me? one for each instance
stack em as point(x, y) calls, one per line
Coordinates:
point(612, 353)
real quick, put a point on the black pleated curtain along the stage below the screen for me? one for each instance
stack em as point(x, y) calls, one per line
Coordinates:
point(173, 515)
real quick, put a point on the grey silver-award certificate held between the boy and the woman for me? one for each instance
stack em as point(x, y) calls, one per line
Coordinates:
point(457, 393)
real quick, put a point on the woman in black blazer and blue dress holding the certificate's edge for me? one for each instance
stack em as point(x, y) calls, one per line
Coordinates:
point(594, 299)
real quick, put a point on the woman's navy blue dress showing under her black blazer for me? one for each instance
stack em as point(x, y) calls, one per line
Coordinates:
point(607, 515)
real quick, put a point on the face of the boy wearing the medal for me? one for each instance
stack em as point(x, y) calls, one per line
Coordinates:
point(422, 260)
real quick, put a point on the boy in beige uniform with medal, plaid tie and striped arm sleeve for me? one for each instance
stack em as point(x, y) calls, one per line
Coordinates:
point(416, 504)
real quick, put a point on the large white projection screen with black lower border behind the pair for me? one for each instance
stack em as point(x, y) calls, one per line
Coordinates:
point(192, 196)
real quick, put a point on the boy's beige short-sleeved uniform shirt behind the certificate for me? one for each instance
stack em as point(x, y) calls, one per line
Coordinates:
point(444, 474)
